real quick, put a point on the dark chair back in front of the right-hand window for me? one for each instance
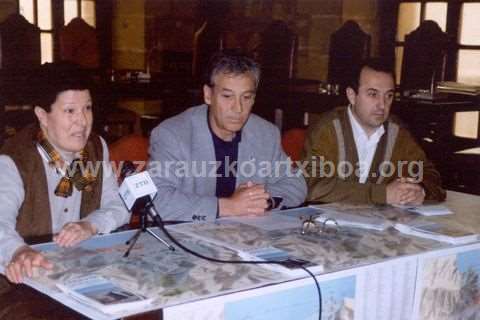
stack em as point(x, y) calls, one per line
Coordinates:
point(424, 57)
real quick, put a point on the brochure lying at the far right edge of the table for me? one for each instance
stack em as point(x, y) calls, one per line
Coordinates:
point(437, 231)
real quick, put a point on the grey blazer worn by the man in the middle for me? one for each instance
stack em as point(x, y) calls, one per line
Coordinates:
point(183, 165)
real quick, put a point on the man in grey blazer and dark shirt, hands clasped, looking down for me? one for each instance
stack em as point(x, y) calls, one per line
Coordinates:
point(218, 159)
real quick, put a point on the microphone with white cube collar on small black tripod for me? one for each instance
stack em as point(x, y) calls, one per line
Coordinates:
point(137, 192)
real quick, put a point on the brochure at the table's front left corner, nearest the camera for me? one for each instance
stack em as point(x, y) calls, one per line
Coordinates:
point(103, 294)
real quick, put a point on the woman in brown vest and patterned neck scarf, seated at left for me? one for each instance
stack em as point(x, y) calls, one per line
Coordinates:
point(55, 176)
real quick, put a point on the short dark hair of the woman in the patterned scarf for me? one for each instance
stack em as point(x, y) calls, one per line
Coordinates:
point(51, 79)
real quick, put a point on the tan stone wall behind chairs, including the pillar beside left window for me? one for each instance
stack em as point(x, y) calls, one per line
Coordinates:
point(144, 28)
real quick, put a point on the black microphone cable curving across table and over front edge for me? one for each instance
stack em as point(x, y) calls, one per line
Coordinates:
point(161, 225)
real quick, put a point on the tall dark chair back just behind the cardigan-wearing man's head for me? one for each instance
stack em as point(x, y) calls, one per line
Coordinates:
point(349, 45)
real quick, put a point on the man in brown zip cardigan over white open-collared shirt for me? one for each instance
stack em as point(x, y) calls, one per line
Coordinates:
point(361, 154)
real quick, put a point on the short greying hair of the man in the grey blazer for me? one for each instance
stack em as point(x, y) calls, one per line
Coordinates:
point(231, 62)
